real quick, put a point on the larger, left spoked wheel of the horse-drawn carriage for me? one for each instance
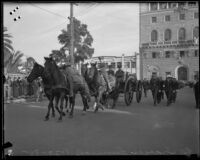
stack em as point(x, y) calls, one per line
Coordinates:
point(128, 93)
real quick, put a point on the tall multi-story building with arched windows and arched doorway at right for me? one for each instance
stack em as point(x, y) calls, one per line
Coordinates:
point(169, 39)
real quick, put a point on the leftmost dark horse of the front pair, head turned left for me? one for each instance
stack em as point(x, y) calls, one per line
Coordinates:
point(38, 71)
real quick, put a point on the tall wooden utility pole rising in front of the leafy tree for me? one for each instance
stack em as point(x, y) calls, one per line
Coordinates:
point(72, 34)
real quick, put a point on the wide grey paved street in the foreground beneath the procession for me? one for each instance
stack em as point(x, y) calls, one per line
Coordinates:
point(137, 129)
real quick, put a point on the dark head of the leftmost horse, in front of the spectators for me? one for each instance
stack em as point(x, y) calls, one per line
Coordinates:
point(36, 72)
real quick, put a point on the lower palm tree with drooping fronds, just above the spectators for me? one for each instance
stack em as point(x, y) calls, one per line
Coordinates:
point(14, 62)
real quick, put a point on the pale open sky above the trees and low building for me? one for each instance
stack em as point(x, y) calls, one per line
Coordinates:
point(113, 26)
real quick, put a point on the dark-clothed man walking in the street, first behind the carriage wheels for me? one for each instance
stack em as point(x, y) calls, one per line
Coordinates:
point(156, 89)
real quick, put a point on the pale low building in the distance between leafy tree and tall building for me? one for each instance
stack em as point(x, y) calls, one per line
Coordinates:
point(128, 62)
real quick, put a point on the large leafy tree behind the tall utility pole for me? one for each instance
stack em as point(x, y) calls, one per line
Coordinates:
point(82, 43)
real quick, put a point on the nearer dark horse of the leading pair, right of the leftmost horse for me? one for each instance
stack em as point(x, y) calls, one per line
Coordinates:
point(60, 82)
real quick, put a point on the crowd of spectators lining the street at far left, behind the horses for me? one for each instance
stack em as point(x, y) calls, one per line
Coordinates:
point(18, 87)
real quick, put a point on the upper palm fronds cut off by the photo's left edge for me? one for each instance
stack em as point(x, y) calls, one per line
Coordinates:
point(7, 44)
